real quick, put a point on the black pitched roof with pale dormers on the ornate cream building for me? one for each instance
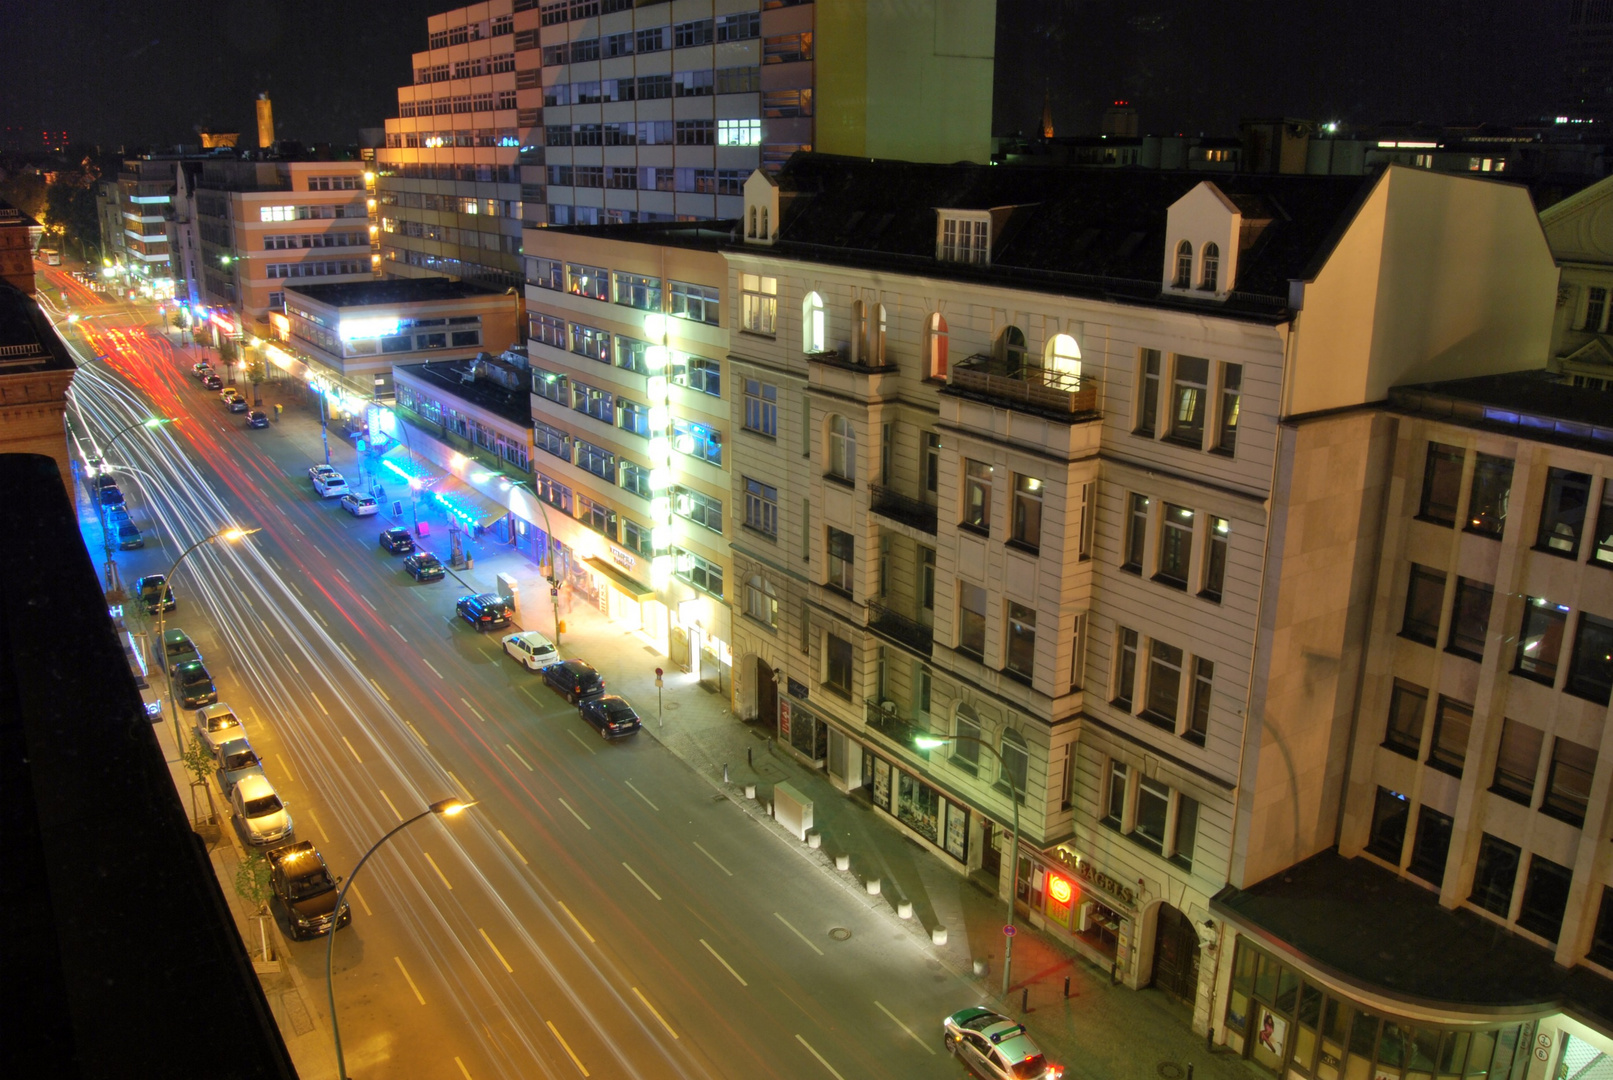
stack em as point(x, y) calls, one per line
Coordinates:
point(1072, 231)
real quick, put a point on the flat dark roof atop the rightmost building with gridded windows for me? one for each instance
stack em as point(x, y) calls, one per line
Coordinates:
point(1519, 404)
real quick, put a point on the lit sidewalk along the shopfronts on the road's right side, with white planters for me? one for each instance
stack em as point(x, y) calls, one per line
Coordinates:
point(1101, 1032)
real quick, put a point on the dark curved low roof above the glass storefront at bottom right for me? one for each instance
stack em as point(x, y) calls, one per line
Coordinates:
point(1367, 926)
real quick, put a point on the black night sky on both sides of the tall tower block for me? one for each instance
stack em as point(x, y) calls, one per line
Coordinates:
point(151, 73)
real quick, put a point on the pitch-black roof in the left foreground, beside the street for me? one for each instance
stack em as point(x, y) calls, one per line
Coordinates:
point(120, 958)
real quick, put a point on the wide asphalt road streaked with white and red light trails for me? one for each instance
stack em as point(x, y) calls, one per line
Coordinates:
point(598, 913)
